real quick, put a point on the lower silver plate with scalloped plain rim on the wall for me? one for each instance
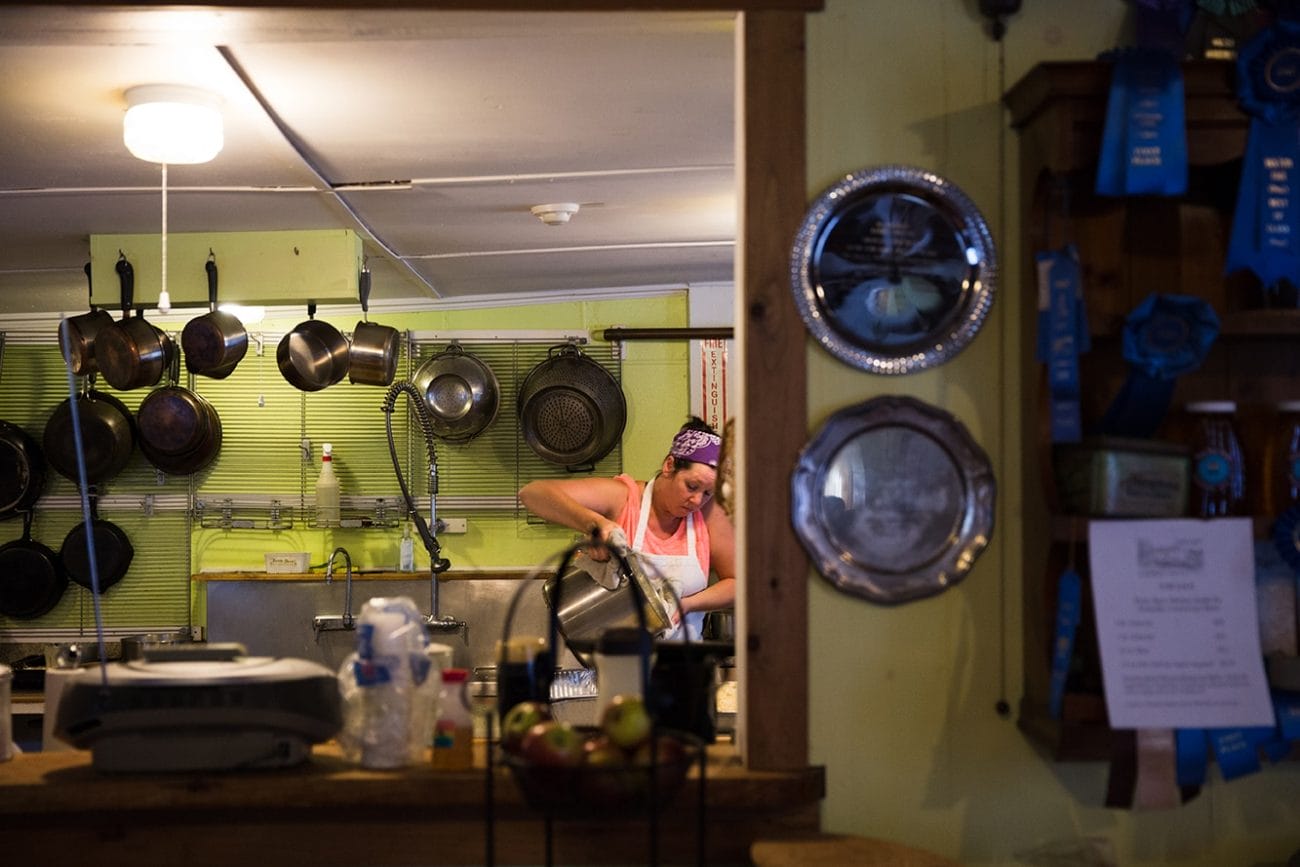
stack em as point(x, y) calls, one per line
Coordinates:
point(894, 500)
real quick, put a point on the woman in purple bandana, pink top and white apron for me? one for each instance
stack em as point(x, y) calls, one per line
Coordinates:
point(671, 521)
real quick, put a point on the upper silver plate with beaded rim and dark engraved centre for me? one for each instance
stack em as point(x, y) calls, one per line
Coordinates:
point(894, 270)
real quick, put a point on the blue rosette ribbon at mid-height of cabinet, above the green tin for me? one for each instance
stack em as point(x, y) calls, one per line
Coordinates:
point(1164, 337)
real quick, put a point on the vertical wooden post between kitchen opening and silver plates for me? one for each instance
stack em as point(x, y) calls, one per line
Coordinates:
point(774, 410)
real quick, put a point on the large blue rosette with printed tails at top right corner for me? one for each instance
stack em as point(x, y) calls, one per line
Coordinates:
point(1267, 223)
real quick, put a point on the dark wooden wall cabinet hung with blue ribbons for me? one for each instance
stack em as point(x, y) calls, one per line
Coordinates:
point(1130, 248)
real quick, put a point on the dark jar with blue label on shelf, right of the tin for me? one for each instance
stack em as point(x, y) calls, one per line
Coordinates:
point(1219, 466)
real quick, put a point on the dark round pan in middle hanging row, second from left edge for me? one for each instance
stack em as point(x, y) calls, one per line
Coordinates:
point(109, 436)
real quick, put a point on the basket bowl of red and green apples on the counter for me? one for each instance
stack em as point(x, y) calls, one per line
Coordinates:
point(621, 766)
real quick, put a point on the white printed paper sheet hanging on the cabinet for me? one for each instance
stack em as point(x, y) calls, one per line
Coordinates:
point(1177, 623)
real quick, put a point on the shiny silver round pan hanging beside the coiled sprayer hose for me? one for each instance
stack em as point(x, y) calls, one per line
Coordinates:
point(462, 393)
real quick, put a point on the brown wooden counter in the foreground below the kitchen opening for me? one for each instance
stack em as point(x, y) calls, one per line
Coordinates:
point(330, 812)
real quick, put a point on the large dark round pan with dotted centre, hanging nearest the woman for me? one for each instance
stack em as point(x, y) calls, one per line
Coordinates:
point(571, 410)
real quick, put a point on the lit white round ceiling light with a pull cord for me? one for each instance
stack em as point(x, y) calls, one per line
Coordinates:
point(171, 124)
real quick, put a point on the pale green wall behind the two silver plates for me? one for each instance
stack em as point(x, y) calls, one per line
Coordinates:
point(904, 699)
